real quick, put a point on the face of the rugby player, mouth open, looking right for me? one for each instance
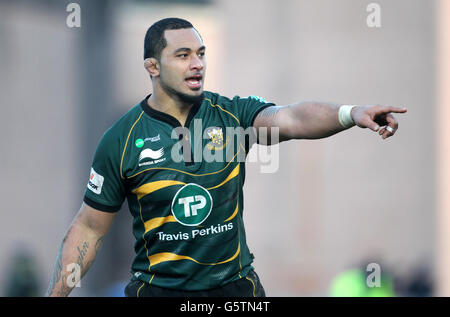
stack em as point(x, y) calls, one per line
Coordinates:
point(183, 64)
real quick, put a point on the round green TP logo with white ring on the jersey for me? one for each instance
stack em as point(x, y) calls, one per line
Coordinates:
point(191, 205)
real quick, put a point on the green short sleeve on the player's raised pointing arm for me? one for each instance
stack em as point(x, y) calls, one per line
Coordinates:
point(249, 107)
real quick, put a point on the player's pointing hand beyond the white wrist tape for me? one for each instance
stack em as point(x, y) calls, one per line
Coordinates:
point(374, 117)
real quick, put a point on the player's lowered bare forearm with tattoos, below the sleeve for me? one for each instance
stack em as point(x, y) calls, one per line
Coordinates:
point(79, 249)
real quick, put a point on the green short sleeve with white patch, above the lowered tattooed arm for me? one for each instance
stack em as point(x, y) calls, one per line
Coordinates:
point(105, 189)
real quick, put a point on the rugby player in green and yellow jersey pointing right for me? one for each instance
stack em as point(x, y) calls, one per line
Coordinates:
point(188, 211)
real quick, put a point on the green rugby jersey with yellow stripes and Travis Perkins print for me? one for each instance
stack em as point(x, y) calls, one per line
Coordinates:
point(188, 212)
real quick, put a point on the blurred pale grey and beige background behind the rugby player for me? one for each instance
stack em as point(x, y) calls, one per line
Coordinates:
point(333, 207)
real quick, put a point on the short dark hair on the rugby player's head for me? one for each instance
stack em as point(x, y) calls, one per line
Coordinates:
point(155, 41)
